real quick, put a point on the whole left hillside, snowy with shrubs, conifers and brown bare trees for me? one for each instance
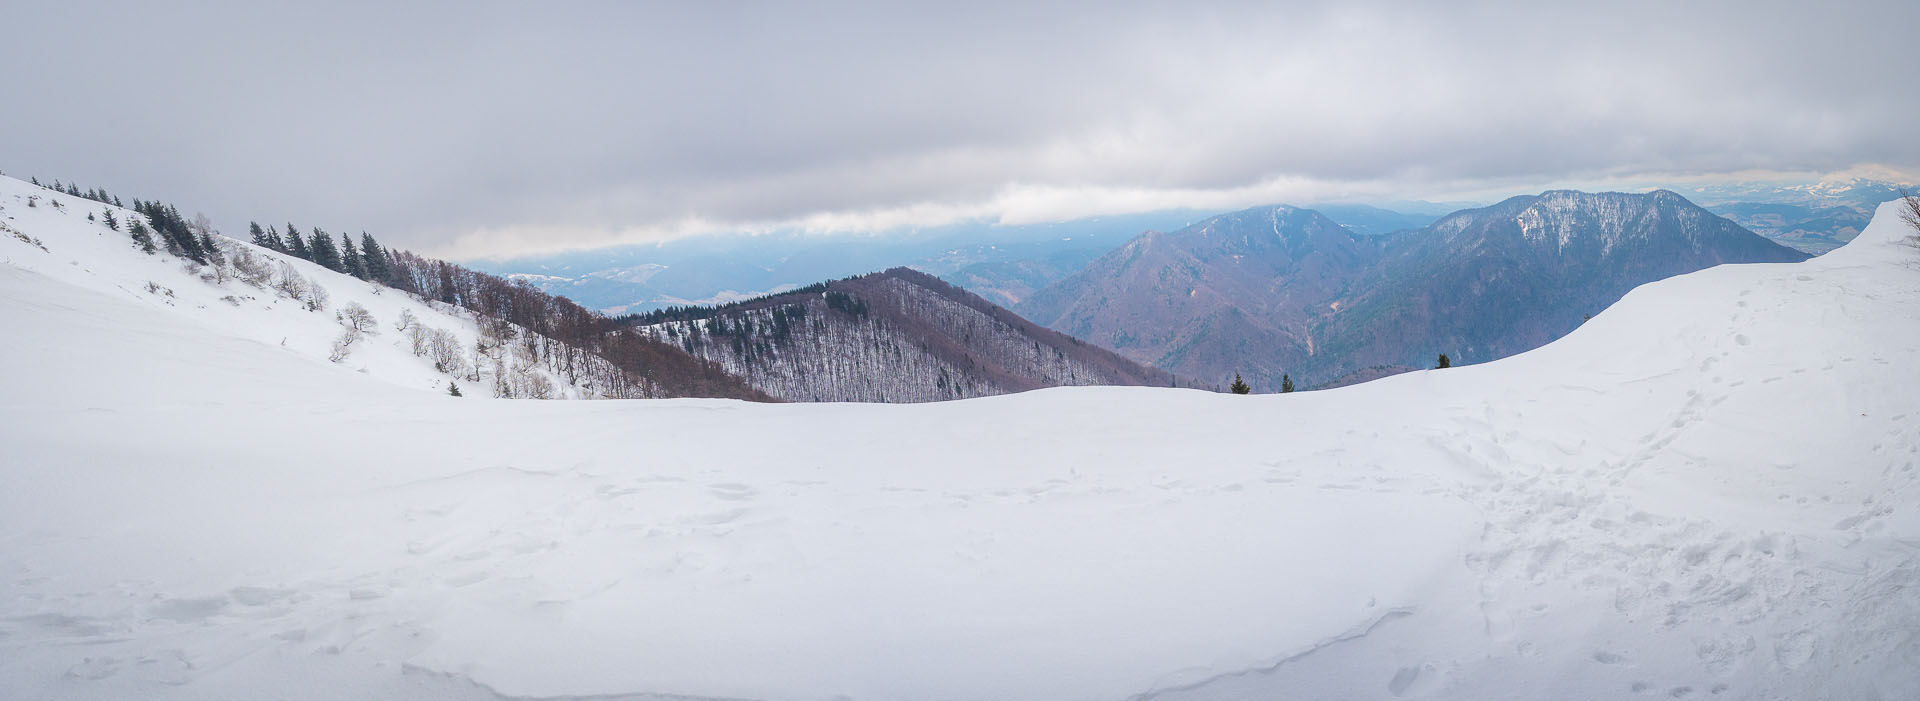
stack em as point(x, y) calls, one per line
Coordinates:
point(331, 318)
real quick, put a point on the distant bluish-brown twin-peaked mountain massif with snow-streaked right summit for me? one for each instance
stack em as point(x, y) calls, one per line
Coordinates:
point(1284, 291)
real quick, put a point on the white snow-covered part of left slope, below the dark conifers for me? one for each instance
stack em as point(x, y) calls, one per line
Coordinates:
point(55, 239)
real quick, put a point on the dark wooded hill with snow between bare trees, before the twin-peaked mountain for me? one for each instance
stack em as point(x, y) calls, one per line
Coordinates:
point(890, 337)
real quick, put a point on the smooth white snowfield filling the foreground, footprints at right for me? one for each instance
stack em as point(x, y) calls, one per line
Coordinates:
point(1704, 493)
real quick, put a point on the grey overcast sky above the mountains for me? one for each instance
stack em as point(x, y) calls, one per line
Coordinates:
point(485, 130)
